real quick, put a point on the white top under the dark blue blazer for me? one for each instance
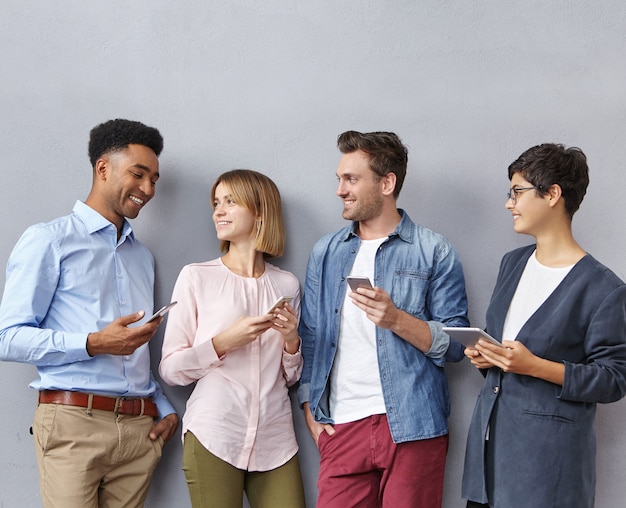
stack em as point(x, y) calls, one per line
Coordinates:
point(536, 284)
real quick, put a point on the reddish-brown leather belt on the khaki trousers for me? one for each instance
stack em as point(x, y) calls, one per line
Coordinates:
point(118, 405)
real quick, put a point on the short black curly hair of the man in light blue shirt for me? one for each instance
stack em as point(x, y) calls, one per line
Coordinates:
point(116, 135)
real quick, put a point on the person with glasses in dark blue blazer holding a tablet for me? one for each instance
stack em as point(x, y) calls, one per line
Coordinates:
point(561, 317)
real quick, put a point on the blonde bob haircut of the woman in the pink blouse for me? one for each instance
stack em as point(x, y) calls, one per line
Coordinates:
point(258, 194)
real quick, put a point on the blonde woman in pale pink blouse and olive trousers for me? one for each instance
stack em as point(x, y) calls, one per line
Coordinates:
point(237, 428)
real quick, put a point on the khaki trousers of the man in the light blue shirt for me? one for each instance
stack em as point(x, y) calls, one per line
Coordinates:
point(96, 460)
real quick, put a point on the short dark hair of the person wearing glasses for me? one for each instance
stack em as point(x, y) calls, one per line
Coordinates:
point(548, 164)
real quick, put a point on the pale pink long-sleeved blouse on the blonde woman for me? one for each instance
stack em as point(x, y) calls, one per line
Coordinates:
point(240, 408)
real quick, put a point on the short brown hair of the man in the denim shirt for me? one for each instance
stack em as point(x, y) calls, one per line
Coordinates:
point(385, 149)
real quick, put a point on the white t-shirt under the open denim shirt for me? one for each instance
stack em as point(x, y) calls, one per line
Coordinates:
point(355, 389)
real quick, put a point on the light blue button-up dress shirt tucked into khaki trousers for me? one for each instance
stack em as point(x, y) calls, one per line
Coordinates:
point(66, 279)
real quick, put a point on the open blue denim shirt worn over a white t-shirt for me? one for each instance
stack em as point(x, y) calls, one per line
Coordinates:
point(423, 276)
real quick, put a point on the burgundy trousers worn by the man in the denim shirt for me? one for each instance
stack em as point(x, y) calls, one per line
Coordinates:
point(362, 467)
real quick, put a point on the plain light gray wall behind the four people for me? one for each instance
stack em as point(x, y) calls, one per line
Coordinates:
point(269, 85)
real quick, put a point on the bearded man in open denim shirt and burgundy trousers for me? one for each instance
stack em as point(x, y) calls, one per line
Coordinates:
point(373, 387)
